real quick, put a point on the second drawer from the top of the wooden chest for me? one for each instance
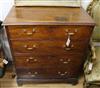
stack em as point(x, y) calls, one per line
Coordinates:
point(47, 47)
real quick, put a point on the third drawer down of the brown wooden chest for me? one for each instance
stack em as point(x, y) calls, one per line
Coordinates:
point(64, 61)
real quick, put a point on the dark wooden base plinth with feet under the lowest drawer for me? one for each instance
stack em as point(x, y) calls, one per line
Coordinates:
point(71, 80)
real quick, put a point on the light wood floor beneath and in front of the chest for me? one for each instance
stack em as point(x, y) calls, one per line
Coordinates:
point(8, 82)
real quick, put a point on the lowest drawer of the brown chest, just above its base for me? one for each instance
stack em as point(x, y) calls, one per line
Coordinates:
point(41, 73)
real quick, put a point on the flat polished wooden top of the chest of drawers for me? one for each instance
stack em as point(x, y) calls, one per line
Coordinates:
point(47, 16)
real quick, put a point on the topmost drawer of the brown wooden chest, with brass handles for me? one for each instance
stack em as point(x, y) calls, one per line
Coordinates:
point(48, 32)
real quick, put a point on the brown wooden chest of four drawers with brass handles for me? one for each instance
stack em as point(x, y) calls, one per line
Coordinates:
point(48, 44)
